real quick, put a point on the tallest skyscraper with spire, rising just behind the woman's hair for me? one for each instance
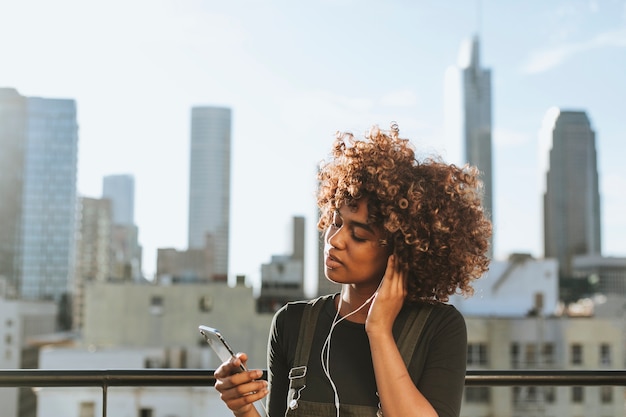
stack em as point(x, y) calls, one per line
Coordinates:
point(468, 115)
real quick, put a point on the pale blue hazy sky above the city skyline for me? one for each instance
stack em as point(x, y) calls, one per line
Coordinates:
point(294, 73)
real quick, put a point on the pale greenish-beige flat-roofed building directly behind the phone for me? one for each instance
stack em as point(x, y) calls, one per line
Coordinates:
point(134, 315)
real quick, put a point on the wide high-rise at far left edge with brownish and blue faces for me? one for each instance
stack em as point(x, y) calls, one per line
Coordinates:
point(39, 144)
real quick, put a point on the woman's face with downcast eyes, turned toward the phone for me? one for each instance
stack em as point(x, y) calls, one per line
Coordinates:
point(352, 248)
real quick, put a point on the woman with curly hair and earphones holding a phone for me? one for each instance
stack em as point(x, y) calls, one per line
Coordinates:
point(401, 236)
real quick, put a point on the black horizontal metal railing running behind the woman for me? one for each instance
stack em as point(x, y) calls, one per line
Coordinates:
point(105, 378)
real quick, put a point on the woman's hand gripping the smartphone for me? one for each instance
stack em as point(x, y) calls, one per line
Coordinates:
point(239, 390)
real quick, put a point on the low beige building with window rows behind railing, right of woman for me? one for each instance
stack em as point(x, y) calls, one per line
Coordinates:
point(582, 343)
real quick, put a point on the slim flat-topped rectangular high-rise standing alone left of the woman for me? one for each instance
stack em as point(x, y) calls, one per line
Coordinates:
point(209, 184)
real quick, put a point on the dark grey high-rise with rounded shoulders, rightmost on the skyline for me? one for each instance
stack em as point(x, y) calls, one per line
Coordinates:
point(571, 195)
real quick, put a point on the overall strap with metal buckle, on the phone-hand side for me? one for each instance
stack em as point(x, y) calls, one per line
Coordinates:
point(297, 374)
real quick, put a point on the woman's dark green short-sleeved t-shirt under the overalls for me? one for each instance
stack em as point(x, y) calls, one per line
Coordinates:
point(437, 368)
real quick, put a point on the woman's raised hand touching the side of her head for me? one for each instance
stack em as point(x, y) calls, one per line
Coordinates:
point(389, 299)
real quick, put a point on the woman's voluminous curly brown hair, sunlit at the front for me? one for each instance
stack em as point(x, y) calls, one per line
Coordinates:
point(430, 211)
